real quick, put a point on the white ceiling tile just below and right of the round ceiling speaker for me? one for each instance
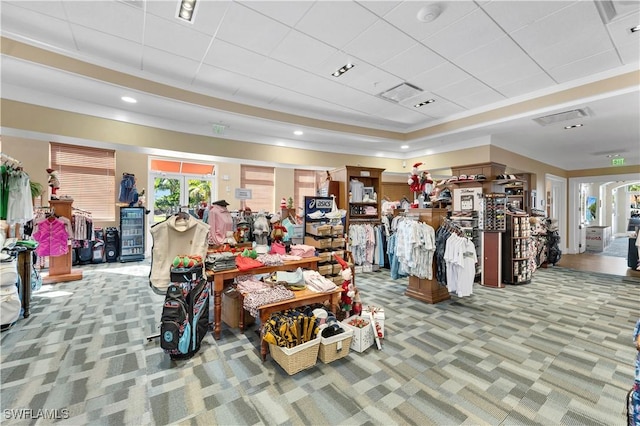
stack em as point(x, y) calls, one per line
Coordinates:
point(473, 30)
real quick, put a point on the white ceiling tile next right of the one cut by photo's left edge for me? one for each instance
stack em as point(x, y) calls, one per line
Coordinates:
point(108, 47)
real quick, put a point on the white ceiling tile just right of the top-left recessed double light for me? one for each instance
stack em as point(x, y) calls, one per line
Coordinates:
point(251, 30)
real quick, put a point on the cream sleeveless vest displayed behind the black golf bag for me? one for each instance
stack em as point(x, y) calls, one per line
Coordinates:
point(175, 236)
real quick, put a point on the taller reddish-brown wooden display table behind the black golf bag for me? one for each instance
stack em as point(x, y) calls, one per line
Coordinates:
point(218, 279)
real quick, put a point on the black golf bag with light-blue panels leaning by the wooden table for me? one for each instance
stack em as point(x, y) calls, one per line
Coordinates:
point(185, 314)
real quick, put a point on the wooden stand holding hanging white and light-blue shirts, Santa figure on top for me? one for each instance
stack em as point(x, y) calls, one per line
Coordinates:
point(426, 290)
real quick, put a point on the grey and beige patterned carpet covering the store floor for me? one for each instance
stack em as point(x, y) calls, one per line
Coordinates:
point(556, 351)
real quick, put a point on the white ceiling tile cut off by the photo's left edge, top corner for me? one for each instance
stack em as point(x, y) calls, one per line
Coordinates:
point(36, 26)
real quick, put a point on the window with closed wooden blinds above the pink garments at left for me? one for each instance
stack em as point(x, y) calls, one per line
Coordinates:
point(88, 176)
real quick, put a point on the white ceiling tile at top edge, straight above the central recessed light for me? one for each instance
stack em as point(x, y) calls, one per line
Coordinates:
point(336, 22)
